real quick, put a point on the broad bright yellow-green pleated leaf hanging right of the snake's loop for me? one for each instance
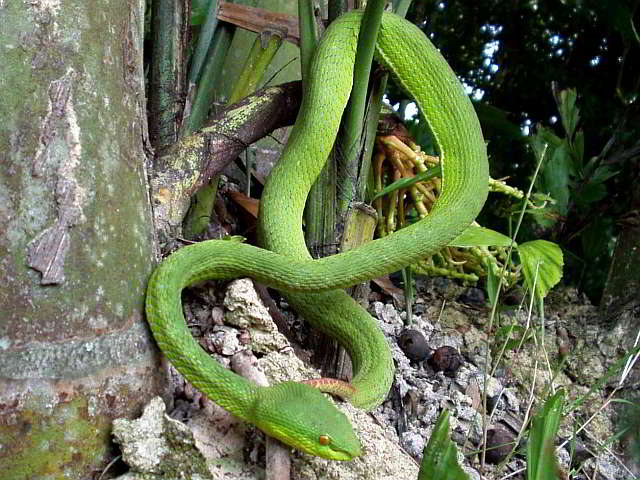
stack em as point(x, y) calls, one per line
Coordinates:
point(543, 258)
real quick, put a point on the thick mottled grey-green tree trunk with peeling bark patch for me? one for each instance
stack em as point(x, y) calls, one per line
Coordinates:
point(76, 243)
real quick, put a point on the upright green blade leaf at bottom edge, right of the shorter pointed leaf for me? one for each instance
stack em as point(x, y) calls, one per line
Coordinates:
point(541, 455)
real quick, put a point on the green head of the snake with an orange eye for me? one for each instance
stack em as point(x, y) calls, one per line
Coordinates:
point(304, 418)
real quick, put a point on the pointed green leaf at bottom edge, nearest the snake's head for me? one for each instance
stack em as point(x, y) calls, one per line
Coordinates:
point(439, 457)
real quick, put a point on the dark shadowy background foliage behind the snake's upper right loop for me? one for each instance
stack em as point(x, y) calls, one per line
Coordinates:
point(509, 54)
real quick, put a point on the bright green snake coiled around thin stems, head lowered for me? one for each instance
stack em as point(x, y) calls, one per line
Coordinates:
point(296, 413)
